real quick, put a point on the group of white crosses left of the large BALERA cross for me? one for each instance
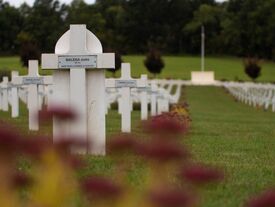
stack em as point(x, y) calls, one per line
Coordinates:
point(30, 89)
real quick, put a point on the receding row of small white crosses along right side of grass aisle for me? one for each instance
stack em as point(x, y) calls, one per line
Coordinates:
point(256, 95)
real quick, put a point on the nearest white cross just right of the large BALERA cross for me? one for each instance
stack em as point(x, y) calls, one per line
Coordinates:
point(125, 83)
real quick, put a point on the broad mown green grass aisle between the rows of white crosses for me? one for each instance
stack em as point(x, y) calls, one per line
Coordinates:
point(234, 136)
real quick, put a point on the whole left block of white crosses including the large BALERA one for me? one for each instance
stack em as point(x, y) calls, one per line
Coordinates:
point(78, 82)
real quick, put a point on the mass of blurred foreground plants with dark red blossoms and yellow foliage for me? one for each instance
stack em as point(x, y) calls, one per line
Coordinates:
point(172, 178)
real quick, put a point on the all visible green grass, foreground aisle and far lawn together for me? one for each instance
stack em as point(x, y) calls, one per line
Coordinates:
point(224, 133)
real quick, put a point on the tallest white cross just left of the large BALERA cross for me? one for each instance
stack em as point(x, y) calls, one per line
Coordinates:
point(32, 80)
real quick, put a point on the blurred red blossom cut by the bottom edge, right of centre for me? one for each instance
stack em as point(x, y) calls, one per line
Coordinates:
point(170, 198)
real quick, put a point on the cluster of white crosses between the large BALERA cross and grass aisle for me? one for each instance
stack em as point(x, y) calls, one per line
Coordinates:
point(126, 91)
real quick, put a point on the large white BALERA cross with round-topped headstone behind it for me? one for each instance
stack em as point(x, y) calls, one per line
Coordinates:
point(79, 88)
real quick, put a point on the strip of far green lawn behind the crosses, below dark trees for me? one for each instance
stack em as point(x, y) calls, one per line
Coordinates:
point(177, 67)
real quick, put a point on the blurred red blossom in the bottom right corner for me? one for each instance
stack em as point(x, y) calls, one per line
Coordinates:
point(266, 199)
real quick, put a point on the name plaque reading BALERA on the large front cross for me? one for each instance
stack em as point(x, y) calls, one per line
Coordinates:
point(77, 61)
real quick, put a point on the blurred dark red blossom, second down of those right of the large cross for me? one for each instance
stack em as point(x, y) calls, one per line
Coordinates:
point(162, 151)
